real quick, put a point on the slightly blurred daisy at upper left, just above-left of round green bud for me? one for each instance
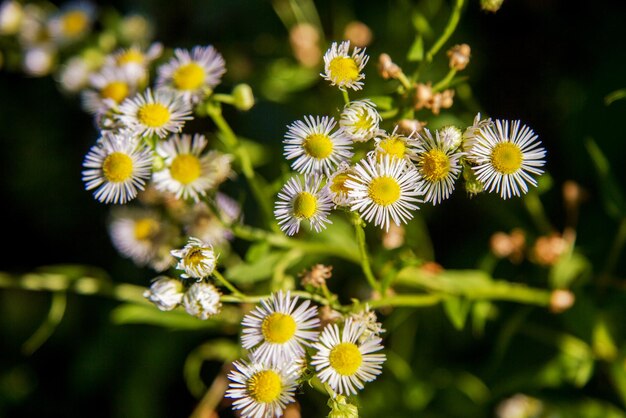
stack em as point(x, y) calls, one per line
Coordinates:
point(193, 74)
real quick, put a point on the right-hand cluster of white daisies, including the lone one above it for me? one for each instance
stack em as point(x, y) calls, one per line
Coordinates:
point(398, 170)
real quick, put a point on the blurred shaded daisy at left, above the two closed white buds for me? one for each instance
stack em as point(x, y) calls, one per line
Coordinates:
point(143, 236)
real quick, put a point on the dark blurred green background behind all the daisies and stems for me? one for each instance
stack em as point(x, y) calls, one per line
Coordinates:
point(549, 63)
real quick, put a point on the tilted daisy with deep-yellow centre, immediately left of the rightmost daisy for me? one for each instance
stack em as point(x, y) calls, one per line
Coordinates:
point(438, 164)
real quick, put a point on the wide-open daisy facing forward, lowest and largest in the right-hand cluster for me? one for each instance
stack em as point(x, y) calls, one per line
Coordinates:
point(385, 190)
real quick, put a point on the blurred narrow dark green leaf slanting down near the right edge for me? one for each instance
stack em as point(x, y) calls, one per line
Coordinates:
point(612, 197)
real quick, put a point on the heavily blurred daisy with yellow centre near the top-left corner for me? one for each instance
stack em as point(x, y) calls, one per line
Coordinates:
point(72, 23)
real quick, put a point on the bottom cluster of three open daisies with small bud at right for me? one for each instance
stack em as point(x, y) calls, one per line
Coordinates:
point(286, 349)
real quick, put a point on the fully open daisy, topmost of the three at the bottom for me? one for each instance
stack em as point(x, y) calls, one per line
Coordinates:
point(278, 329)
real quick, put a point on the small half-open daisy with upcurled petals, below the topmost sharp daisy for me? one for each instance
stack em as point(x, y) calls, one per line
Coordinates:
point(360, 120)
